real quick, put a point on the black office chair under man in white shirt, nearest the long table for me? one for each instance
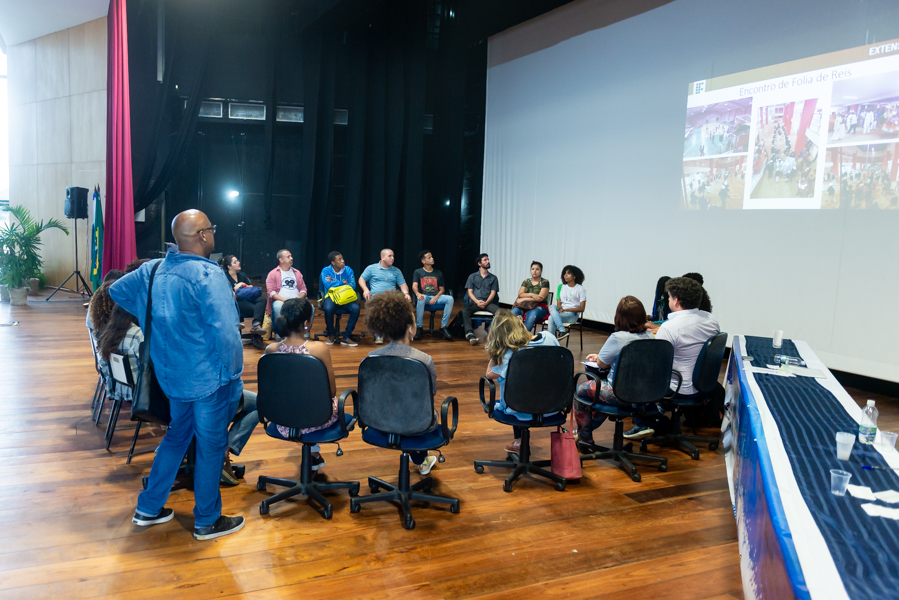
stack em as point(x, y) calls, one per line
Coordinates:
point(705, 377)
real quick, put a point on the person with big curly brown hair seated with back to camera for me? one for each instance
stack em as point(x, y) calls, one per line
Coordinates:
point(389, 314)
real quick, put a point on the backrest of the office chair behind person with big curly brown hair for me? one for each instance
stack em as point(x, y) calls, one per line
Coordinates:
point(395, 395)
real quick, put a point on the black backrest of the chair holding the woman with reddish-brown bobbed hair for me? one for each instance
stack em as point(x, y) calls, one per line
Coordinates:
point(643, 371)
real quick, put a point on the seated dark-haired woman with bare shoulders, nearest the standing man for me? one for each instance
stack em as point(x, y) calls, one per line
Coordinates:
point(292, 325)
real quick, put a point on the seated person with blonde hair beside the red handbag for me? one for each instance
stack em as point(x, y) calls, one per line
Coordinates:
point(508, 335)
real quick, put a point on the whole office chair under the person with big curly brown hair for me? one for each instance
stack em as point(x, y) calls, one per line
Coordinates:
point(396, 411)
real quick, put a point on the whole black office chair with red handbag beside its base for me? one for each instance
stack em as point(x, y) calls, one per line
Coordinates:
point(539, 383)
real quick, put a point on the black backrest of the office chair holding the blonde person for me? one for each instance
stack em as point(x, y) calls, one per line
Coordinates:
point(539, 380)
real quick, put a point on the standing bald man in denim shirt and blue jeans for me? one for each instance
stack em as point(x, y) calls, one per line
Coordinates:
point(198, 359)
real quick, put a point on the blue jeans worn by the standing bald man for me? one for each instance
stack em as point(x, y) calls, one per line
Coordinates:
point(206, 419)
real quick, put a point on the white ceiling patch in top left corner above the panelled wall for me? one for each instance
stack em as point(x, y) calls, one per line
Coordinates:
point(23, 20)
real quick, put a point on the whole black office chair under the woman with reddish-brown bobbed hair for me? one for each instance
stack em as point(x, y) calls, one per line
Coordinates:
point(642, 377)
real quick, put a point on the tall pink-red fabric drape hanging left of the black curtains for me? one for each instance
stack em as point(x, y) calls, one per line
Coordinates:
point(119, 246)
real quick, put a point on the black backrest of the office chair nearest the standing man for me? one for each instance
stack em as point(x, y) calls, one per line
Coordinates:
point(294, 390)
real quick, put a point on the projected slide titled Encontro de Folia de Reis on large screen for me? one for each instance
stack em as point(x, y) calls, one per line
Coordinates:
point(816, 133)
